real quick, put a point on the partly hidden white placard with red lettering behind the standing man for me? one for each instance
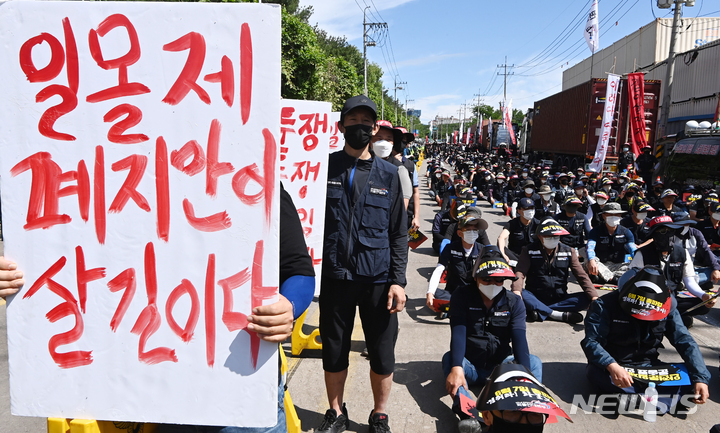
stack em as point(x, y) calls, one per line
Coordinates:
point(306, 128)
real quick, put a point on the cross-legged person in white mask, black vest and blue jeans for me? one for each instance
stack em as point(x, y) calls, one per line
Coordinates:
point(546, 265)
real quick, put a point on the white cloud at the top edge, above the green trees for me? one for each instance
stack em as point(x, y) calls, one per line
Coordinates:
point(344, 17)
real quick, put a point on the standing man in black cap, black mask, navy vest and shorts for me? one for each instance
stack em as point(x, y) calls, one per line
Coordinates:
point(364, 261)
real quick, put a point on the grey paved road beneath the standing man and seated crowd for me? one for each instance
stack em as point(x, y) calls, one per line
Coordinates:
point(418, 402)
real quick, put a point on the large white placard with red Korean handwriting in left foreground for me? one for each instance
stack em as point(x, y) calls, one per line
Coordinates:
point(140, 193)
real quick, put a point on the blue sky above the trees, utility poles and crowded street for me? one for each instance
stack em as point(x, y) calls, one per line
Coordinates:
point(448, 50)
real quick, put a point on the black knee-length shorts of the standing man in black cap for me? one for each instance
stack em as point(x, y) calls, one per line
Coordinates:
point(338, 299)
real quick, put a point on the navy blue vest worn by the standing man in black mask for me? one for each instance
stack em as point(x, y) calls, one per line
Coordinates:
point(357, 240)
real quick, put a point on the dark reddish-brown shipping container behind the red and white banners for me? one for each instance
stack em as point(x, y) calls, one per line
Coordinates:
point(566, 126)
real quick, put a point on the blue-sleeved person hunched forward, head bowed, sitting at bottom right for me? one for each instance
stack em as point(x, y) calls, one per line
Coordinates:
point(626, 327)
